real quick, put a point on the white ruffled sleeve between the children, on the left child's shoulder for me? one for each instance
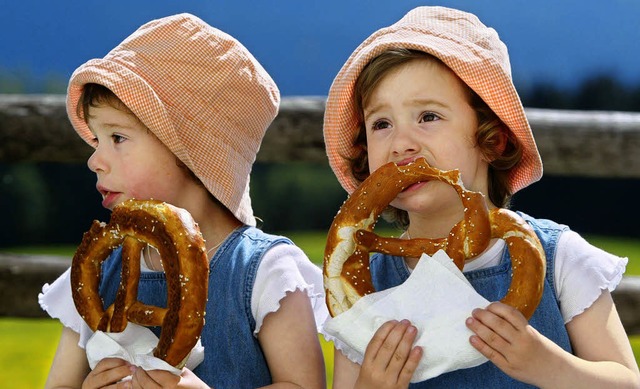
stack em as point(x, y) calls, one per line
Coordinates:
point(286, 268)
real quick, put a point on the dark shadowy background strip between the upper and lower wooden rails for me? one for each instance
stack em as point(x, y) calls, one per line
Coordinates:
point(48, 203)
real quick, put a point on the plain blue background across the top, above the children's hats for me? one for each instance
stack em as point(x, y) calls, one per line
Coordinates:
point(303, 44)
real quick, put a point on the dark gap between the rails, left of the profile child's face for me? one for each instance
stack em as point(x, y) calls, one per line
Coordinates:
point(47, 203)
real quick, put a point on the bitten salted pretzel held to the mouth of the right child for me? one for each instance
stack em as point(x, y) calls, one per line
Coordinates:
point(350, 238)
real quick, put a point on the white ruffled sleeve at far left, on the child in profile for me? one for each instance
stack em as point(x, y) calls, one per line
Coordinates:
point(57, 301)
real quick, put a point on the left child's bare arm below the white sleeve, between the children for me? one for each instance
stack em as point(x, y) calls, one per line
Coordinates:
point(289, 340)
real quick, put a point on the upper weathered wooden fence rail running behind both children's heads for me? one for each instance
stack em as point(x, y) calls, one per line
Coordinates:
point(571, 143)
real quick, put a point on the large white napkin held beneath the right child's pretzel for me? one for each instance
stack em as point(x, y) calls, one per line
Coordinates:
point(436, 298)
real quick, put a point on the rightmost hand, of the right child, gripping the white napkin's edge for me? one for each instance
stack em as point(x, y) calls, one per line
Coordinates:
point(503, 335)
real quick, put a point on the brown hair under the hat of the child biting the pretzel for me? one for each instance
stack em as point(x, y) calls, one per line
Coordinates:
point(496, 142)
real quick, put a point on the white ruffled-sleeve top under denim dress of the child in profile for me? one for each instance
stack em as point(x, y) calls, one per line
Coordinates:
point(284, 268)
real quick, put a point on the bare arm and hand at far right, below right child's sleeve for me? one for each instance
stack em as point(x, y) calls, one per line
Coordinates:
point(603, 356)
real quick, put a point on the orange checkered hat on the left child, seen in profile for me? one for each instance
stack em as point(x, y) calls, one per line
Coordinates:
point(199, 91)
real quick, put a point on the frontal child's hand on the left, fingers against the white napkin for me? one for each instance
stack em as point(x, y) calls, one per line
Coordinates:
point(390, 360)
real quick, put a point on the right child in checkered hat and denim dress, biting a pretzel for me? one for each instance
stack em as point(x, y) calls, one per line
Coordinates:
point(437, 84)
